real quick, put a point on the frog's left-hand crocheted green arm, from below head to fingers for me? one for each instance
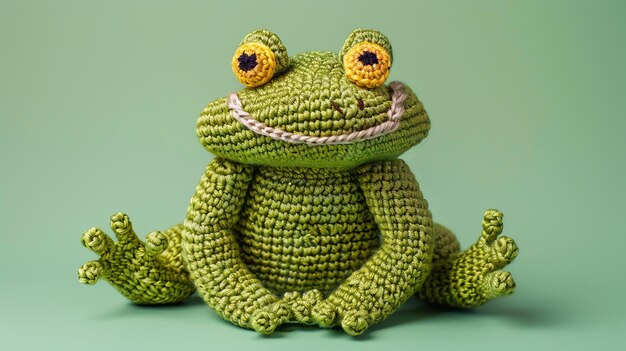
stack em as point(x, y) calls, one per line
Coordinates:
point(211, 251)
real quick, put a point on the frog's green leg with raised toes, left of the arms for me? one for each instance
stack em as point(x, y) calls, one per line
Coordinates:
point(149, 272)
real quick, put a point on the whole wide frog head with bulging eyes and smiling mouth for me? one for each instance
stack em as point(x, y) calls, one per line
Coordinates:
point(315, 109)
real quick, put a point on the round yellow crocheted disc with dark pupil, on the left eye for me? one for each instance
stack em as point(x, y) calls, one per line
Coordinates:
point(254, 64)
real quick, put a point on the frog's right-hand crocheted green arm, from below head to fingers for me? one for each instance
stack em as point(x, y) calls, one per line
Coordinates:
point(401, 264)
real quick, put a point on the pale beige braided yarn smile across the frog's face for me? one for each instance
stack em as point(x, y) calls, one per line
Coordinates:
point(398, 96)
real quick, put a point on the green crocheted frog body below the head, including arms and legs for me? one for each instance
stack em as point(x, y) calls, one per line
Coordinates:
point(266, 245)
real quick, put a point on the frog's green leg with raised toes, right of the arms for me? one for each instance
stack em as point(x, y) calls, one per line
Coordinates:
point(473, 277)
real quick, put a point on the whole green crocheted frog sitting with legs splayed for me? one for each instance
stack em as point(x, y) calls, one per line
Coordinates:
point(306, 214)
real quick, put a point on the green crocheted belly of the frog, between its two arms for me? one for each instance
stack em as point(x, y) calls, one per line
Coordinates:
point(303, 229)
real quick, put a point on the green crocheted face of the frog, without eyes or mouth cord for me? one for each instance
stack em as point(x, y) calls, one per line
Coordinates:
point(312, 98)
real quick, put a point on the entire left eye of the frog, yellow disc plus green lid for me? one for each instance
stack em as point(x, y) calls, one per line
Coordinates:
point(260, 56)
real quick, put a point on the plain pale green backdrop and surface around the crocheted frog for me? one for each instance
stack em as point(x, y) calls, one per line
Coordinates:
point(98, 108)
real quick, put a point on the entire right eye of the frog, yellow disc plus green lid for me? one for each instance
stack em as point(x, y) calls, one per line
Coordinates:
point(367, 58)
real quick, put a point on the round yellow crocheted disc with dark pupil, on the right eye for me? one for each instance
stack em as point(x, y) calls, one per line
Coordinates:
point(367, 64)
